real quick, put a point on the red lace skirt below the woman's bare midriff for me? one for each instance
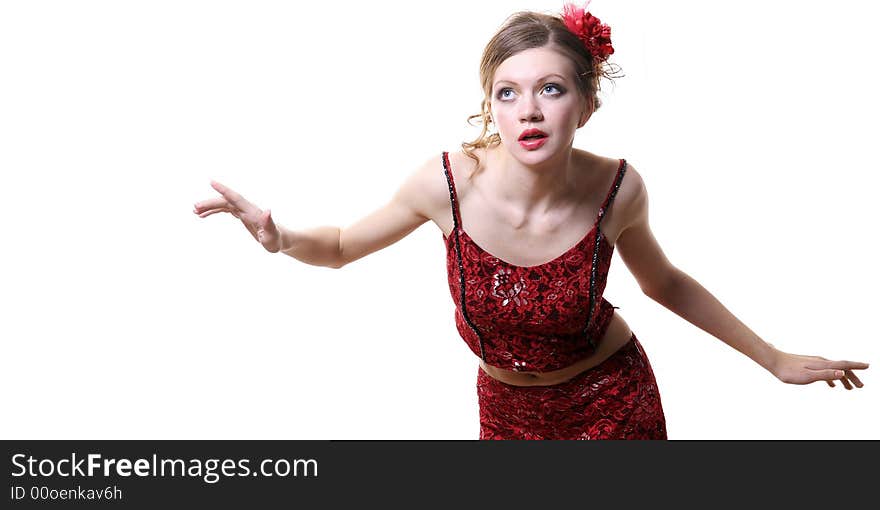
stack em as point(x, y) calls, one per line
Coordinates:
point(616, 399)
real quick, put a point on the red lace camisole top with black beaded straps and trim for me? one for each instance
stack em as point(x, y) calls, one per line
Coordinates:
point(534, 318)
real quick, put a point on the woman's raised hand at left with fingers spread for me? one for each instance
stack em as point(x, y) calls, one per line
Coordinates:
point(259, 223)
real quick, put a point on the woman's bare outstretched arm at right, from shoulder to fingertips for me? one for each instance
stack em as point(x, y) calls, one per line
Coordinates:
point(684, 296)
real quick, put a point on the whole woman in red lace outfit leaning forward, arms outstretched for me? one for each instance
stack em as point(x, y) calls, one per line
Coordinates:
point(530, 225)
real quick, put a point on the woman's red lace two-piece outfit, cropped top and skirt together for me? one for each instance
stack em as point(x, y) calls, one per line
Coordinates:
point(542, 318)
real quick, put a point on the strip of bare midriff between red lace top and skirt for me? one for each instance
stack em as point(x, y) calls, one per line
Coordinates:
point(616, 336)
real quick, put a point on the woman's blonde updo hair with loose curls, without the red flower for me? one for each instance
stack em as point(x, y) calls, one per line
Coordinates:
point(522, 31)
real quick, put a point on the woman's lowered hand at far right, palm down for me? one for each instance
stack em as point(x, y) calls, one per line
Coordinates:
point(797, 369)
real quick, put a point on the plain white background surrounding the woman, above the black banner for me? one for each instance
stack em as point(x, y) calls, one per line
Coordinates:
point(125, 315)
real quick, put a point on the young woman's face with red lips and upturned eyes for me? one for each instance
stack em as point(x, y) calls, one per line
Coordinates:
point(535, 89)
